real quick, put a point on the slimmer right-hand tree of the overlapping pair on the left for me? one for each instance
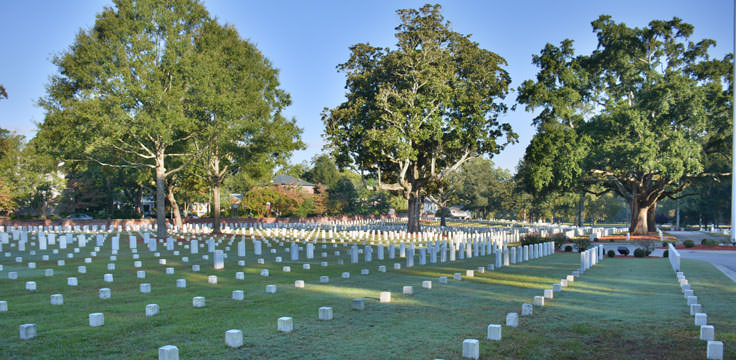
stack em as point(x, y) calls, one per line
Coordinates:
point(239, 103)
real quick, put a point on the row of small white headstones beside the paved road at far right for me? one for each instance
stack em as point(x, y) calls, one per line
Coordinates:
point(714, 349)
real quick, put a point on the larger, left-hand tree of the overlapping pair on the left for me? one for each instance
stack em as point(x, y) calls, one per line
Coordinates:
point(127, 90)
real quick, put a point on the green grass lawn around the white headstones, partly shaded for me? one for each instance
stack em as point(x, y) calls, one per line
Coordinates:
point(622, 308)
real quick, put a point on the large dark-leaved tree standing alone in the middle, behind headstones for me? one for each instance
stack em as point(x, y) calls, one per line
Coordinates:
point(414, 114)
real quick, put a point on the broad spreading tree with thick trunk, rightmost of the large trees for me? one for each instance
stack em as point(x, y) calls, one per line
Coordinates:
point(656, 105)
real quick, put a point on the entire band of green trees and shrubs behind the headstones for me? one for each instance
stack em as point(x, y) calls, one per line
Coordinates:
point(161, 100)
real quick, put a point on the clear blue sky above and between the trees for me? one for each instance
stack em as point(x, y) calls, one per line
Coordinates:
point(307, 39)
